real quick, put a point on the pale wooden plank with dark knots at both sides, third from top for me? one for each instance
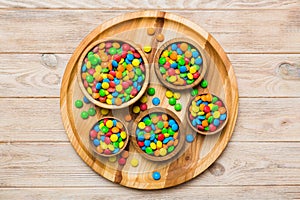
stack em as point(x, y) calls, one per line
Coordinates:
point(258, 75)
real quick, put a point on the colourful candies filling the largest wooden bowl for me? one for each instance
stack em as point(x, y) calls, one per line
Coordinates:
point(113, 72)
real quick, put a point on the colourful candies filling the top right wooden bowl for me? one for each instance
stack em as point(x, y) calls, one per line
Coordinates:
point(180, 64)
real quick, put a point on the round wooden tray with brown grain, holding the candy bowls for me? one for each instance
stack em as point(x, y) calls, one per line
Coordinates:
point(194, 157)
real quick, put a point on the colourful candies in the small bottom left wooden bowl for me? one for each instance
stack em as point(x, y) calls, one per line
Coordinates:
point(108, 136)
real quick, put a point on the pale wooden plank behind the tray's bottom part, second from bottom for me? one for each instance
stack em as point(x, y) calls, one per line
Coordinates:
point(57, 165)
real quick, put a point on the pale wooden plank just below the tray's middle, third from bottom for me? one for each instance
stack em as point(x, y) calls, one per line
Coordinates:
point(34, 124)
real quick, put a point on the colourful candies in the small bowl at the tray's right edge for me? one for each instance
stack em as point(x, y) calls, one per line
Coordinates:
point(207, 112)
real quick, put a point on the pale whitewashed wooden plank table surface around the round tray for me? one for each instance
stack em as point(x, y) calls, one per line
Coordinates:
point(262, 160)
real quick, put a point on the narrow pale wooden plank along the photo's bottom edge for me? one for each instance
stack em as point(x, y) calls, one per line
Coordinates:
point(180, 192)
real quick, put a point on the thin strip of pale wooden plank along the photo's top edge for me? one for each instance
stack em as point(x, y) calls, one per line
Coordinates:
point(148, 4)
